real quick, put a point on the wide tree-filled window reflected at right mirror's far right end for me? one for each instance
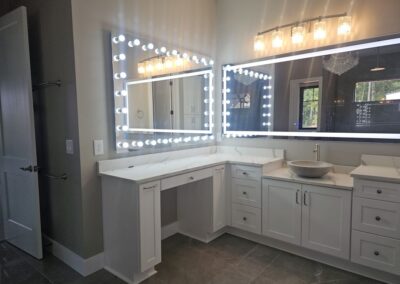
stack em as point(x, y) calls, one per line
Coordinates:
point(375, 90)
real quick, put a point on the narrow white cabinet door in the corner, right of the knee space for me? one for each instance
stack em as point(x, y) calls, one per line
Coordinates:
point(219, 199)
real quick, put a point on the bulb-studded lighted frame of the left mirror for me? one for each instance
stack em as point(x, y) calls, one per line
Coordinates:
point(124, 141)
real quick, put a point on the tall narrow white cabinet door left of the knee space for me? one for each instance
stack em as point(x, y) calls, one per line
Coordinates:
point(150, 225)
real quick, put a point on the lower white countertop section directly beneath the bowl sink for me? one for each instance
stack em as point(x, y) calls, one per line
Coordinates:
point(338, 178)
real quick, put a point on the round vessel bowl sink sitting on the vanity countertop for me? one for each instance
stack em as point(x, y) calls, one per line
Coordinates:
point(313, 169)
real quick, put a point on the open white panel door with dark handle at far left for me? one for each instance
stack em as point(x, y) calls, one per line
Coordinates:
point(19, 178)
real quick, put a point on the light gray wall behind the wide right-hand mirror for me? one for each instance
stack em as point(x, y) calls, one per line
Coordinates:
point(239, 21)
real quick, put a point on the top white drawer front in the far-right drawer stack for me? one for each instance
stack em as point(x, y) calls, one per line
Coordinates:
point(377, 190)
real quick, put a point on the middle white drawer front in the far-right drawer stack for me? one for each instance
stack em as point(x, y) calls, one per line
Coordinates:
point(378, 217)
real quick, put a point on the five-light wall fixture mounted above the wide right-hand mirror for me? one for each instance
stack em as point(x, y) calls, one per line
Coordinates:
point(298, 30)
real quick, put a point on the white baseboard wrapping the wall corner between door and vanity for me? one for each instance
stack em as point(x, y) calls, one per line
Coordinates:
point(84, 266)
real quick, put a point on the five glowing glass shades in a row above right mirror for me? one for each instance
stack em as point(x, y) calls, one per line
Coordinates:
point(298, 33)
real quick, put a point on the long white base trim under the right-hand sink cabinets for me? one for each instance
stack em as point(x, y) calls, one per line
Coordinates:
point(317, 256)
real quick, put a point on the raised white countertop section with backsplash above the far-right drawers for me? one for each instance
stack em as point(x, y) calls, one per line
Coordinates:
point(379, 168)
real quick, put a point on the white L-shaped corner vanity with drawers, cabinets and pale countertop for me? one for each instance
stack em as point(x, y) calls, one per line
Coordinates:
point(249, 192)
